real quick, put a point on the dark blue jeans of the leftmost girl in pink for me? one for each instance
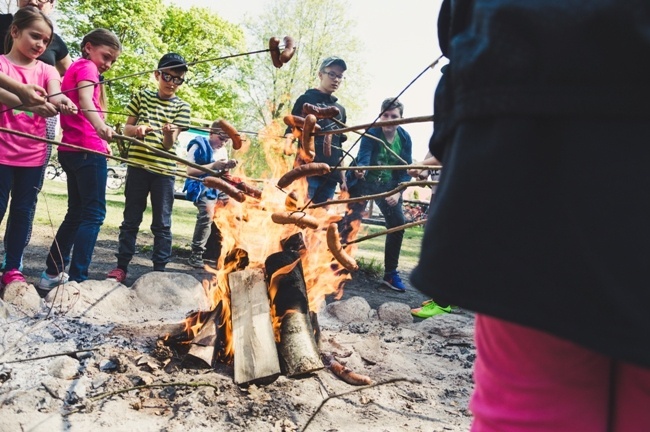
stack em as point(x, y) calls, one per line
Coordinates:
point(23, 185)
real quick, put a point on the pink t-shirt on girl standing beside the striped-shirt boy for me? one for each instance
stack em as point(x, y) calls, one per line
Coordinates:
point(77, 129)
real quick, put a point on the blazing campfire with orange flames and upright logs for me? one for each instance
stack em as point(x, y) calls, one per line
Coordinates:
point(270, 283)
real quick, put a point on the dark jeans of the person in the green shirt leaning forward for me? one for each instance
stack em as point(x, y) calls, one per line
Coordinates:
point(393, 215)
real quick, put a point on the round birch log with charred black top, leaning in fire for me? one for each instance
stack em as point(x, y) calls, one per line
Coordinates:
point(294, 331)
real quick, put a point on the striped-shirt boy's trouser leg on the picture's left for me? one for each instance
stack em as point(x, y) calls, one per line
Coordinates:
point(136, 191)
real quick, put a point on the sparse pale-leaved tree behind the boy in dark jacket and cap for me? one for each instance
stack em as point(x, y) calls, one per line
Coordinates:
point(320, 29)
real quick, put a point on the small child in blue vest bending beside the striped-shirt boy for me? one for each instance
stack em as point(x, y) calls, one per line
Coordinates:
point(210, 153)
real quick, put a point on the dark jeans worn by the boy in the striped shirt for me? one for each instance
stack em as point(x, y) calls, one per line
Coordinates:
point(140, 184)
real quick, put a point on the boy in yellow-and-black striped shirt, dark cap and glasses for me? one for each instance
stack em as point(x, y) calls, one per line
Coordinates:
point(157, 118)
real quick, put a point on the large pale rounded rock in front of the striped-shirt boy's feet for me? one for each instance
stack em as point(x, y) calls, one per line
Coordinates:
point(171, 291)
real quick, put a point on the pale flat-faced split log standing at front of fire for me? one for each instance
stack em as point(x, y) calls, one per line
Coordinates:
point(255, 353)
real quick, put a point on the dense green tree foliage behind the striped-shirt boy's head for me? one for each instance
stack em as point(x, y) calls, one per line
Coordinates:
point(148, 29)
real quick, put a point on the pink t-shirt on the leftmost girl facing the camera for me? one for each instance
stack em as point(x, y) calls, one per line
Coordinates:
point(16, 150)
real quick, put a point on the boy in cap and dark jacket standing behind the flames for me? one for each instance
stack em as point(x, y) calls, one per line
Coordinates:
point(330, 74)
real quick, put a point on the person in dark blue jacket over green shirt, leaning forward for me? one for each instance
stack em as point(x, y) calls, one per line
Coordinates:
point(360, 183)
